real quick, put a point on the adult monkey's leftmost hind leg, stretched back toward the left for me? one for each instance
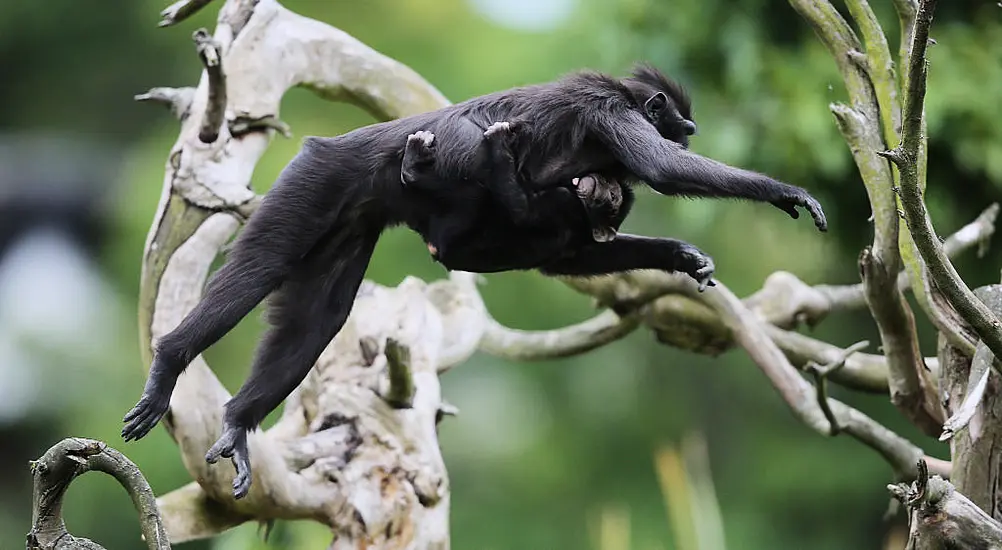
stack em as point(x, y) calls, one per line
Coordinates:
point(274, 239)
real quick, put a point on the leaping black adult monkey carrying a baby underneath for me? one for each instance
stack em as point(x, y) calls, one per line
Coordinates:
point(311, 240)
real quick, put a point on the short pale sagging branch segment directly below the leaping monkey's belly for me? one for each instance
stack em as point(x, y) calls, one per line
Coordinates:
point(571, 341)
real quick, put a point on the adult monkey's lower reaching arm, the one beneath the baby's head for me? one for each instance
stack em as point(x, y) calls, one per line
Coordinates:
point(630, 253)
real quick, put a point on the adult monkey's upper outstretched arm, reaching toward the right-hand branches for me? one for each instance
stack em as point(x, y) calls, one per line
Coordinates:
point(672, 170)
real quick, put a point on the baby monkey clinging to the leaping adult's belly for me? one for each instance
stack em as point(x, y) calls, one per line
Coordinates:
point(462, 203)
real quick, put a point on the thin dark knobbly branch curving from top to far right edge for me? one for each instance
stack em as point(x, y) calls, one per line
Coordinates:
point(960, 297)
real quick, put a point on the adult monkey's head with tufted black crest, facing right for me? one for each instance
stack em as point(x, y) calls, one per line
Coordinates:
point(664, 102)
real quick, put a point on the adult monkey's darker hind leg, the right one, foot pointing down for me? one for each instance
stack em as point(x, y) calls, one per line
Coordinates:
point(309, 311)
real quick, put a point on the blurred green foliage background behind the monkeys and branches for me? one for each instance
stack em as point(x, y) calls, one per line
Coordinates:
point(540, 449)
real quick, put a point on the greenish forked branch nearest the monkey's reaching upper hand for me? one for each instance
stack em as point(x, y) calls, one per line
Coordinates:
point(869, 88)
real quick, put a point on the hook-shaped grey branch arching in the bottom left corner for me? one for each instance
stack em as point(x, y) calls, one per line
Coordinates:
point(56, 471)
